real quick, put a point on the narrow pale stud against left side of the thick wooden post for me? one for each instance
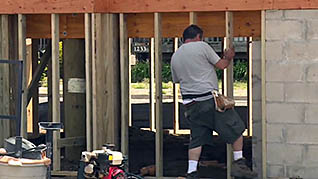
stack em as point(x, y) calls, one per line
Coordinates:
point(88, 79)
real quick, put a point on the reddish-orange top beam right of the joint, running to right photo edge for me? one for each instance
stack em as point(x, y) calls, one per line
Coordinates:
point(140, 6)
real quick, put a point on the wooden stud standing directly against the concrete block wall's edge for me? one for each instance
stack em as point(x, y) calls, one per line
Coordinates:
point(263, 82)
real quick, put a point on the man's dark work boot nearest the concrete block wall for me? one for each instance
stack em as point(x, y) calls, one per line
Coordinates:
point(240, 169)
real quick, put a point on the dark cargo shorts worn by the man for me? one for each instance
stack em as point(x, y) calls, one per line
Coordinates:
point(204, 119)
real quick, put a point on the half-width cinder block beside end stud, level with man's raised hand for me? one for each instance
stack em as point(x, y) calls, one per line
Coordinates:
point(274, 50)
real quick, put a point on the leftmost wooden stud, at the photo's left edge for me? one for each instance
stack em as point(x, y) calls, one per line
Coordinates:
point(4, 78)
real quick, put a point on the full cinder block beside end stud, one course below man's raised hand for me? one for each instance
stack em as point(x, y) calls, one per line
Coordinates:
point(284, 72)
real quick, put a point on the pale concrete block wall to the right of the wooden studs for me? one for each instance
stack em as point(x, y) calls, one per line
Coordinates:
point(292, 93)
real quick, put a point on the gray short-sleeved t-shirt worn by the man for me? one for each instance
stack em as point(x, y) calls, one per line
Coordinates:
point(192, 65)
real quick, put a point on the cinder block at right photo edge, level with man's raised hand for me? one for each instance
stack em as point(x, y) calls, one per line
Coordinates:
point(301, 51)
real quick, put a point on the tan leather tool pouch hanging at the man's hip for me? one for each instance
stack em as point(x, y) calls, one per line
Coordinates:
point(222, 103)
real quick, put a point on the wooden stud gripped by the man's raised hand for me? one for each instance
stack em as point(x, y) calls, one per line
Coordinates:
point(228, 79)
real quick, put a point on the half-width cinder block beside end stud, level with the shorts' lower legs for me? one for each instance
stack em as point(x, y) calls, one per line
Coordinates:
point(275, 133)
